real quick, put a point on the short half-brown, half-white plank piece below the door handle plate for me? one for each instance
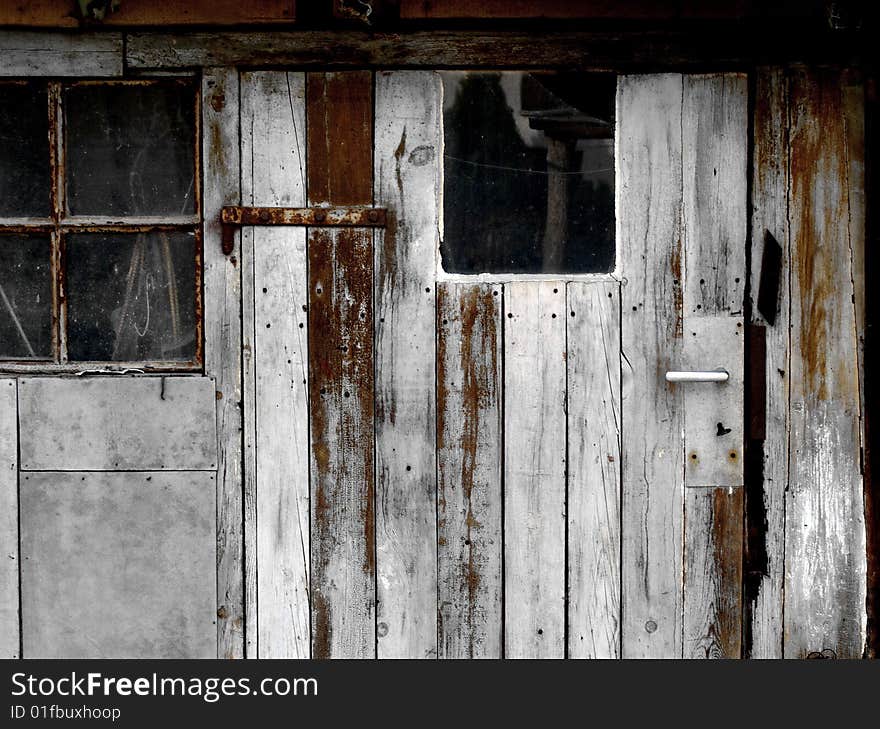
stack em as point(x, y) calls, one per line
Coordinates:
point(713, 572)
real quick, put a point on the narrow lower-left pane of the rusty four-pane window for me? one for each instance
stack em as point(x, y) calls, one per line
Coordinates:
point(25, 297)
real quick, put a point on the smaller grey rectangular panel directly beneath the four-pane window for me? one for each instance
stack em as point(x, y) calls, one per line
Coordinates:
point(77, 424)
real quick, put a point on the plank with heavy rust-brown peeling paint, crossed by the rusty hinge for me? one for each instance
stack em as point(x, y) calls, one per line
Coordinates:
point(341, 369)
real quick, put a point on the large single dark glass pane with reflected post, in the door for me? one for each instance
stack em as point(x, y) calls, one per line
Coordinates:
point(528, 172)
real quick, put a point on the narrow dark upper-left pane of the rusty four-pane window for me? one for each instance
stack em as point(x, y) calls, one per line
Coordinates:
point(24, 151)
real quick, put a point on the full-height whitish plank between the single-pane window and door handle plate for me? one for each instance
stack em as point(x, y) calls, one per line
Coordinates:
point(648, 178)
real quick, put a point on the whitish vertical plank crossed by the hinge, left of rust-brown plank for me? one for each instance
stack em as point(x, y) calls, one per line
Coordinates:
point(273, 174)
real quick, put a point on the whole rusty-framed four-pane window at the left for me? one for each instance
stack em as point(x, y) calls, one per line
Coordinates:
point(99, 224)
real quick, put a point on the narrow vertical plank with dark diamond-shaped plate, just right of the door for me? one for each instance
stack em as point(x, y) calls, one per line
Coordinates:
point(766, 497)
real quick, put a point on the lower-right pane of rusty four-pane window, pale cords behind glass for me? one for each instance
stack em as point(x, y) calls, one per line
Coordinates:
point(131, 296)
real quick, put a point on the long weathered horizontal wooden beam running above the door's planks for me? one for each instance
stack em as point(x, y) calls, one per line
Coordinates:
point(612, 50)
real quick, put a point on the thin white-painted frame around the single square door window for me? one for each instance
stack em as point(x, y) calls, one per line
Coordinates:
point(501, 277)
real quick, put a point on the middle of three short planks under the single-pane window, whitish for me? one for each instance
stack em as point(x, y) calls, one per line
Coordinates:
point(534, 469)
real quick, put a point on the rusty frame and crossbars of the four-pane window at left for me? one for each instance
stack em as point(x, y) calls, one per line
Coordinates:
point(59, 225)
